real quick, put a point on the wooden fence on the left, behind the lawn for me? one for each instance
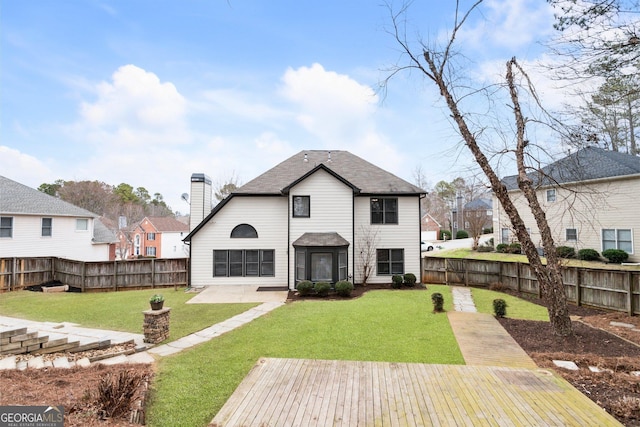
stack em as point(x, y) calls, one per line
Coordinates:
point(18, 273)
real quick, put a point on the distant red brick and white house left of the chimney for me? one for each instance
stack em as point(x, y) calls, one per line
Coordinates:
point(157, 237)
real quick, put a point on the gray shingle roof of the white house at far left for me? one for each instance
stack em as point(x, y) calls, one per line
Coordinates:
point(18, 199)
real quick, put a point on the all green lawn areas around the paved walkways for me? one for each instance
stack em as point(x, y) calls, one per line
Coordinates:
point(191, 386)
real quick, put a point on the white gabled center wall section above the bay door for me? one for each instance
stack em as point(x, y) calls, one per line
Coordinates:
point(331, 210)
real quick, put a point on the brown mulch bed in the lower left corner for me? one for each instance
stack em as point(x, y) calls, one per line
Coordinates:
point(78, 390)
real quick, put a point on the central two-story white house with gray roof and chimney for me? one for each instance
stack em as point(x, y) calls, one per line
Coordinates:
point(319, 216)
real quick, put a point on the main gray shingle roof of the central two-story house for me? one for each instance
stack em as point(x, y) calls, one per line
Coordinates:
point(353, 170)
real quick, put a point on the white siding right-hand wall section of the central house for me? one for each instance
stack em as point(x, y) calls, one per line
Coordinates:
point(404, 235)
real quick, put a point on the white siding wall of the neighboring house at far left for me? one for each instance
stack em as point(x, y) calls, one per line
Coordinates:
point(65, 241)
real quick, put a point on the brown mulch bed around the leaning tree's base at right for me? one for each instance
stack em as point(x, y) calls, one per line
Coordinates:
point(613, 350)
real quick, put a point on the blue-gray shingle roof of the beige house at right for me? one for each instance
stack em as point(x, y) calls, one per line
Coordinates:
point(587, 164)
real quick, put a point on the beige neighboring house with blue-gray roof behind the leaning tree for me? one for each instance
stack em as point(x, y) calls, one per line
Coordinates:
point(590, 199)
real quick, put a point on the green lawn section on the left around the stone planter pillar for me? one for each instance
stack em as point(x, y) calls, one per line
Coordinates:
point(120, 311)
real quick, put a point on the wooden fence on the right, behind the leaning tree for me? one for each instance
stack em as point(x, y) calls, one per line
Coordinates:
point(617, 290)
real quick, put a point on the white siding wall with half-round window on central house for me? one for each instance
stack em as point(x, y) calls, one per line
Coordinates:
point(268, 215)
